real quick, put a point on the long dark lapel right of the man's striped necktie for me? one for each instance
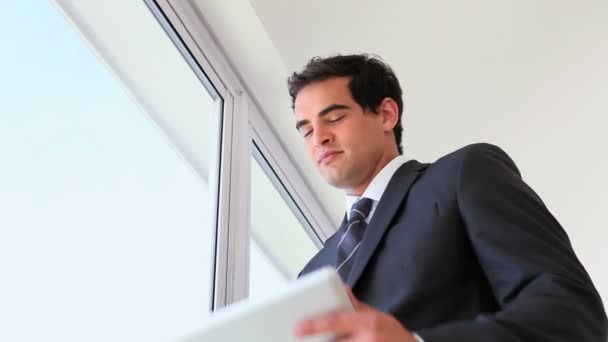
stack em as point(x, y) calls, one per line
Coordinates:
point(390, 202)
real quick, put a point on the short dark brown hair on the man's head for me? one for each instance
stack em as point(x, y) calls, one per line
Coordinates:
point(371, 82)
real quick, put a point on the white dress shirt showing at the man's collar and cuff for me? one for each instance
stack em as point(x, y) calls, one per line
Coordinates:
point(374, 191)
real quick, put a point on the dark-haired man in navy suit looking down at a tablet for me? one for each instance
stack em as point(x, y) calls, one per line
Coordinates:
point(458, 250)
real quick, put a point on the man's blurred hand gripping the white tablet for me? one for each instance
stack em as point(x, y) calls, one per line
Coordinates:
point(365, 324)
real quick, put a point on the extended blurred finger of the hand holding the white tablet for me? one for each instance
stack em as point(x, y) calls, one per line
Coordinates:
point(339, 323)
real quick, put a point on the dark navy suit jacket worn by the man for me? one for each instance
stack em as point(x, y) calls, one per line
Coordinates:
point(463, 250)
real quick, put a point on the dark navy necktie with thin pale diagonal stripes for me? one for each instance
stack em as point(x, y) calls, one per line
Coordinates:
point(352, 236)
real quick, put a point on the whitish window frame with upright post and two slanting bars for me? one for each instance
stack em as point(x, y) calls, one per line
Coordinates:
point(245, 124)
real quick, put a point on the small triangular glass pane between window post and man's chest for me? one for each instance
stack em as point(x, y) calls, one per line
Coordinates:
point(280, 246)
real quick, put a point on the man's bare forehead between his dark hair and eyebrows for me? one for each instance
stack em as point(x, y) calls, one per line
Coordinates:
point(318, 95)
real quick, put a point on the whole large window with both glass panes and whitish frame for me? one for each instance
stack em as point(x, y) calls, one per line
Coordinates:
point(119, 218)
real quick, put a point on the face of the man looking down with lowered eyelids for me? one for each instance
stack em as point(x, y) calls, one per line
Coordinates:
point(347, 144)
